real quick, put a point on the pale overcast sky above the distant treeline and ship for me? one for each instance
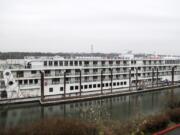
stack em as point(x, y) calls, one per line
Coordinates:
point(73, 25)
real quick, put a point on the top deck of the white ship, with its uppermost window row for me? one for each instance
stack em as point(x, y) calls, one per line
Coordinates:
point(40, 63)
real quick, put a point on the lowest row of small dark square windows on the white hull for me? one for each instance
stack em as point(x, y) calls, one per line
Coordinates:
point(90, 86)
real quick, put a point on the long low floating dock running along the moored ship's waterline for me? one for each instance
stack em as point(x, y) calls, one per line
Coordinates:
point(62, 100)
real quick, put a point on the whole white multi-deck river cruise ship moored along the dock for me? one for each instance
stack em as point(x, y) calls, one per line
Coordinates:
point(75, 76)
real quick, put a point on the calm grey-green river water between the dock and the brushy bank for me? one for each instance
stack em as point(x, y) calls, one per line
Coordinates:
point(121, 108)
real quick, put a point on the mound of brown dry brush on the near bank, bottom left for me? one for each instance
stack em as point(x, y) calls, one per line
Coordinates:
point(54, 126)
